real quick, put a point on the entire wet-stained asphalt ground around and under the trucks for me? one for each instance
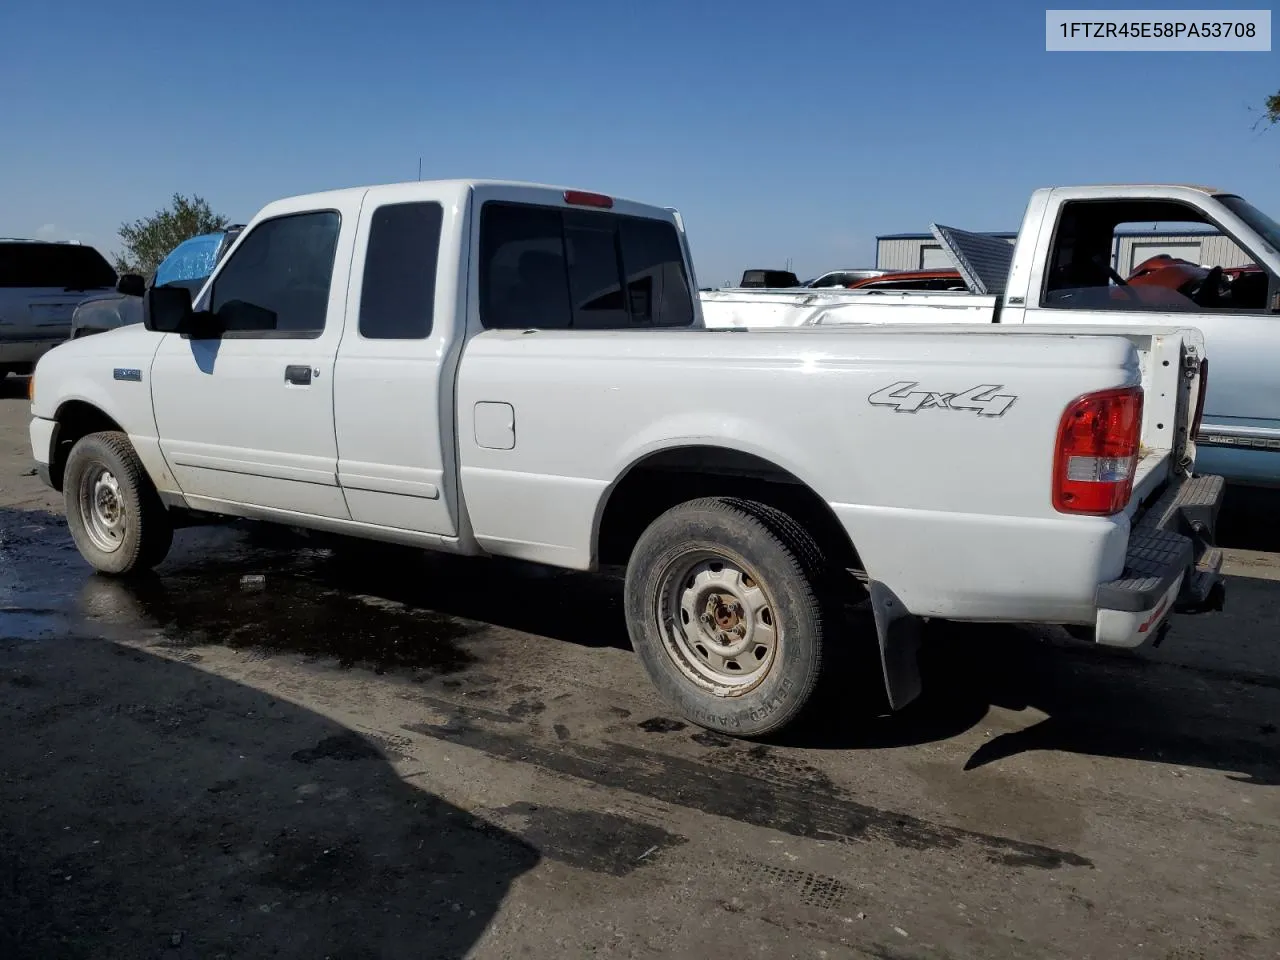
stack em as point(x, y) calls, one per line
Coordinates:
point(380, 753)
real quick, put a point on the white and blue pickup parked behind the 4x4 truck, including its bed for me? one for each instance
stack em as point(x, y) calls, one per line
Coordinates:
point(1062, 271)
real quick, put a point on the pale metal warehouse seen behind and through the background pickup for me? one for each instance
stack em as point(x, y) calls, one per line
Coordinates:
point(921, 252)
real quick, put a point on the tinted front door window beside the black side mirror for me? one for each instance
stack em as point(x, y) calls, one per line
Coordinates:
point(277, 282)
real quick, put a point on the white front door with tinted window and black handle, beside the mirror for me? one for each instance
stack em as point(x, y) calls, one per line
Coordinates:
point(248, 418)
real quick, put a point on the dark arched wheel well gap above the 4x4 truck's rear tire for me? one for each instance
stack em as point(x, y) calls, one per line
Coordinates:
point(673, 477)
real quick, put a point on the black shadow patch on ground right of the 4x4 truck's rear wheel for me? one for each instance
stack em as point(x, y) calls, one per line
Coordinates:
point(1100, 703)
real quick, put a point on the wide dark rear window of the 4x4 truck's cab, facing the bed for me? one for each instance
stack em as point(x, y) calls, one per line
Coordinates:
point(577, 269)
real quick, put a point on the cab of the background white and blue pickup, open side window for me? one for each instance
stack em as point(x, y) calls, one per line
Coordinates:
point(1062, 272)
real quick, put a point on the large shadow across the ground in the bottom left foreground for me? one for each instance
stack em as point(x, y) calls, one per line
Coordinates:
point(149, 808)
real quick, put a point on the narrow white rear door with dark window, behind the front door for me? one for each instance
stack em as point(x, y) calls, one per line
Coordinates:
point(394, 382)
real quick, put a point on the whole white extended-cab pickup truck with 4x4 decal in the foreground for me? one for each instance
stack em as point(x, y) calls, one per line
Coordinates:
point(522, 372)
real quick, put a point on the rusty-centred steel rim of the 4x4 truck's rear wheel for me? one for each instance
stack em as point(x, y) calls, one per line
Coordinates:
point(719, 621)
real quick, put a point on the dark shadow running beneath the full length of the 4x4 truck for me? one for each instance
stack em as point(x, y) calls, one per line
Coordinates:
point(391, 609)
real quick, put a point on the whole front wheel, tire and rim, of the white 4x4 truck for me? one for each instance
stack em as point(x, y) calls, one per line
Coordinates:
point(144, 531)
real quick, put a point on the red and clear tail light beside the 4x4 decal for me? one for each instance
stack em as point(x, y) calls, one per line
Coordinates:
point(1098, 452)
